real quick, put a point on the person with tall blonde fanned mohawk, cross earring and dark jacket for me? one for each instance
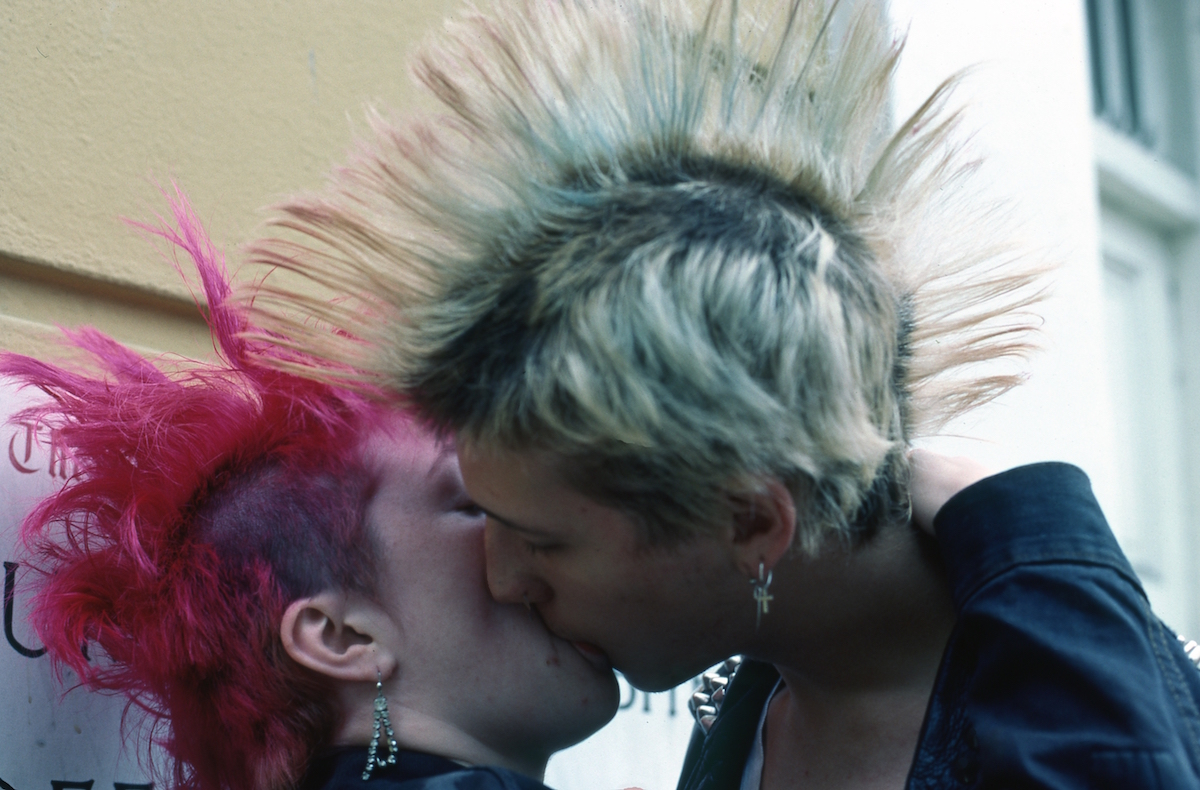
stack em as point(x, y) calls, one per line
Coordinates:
point(685, 300)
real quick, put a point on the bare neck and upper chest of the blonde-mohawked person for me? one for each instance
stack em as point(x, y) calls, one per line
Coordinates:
point(859, 642)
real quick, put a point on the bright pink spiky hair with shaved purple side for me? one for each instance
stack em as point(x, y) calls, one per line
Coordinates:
point(206, 499)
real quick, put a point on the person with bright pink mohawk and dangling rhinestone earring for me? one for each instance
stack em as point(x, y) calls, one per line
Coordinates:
point(285, 577)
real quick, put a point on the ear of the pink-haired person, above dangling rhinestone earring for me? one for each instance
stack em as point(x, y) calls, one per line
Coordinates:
point(340, 636)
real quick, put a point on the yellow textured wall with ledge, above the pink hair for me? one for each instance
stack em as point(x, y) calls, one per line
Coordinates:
point(241, 101)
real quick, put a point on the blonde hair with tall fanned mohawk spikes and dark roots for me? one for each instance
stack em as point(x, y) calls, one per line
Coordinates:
point(681, 255)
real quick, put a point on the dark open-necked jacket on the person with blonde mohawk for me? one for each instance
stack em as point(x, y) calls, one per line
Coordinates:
point(1057, 675)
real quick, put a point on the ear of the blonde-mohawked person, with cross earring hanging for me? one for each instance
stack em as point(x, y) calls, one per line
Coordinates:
point(764, 528)
